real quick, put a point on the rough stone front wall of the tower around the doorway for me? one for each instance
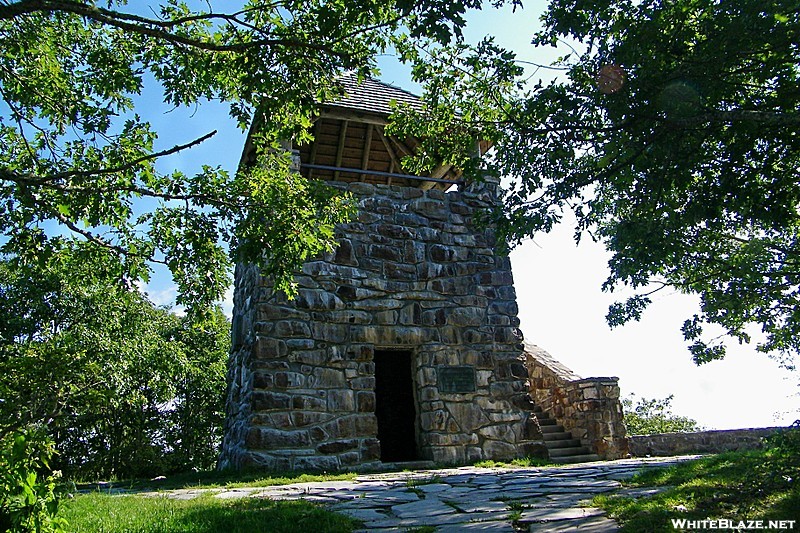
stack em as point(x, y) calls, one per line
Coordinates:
point(413, 272)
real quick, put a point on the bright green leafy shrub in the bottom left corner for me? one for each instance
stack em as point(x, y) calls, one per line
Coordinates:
point(28, 501)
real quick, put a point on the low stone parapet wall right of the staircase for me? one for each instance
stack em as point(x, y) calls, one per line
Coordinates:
point(714, 441)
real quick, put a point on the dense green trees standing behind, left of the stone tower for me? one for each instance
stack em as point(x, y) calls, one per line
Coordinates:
point(122, 387)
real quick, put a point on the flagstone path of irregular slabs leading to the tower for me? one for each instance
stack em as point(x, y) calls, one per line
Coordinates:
point(466, 499)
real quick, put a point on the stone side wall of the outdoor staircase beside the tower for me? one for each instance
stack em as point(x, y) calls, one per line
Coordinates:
point(588, 408)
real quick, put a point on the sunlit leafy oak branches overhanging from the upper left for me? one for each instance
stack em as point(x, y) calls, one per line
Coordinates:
point(75, 153)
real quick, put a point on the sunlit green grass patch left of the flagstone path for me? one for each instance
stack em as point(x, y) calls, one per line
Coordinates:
point(99, 513)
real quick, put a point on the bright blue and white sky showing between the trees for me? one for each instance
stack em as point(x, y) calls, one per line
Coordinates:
point(558, 284)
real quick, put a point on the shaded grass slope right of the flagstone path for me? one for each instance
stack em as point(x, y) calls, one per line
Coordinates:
point(752, 485)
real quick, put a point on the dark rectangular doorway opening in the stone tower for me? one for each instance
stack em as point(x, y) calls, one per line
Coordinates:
point(394, 405)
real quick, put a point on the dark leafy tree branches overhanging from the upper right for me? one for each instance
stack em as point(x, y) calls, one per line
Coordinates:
point(671, 133)
